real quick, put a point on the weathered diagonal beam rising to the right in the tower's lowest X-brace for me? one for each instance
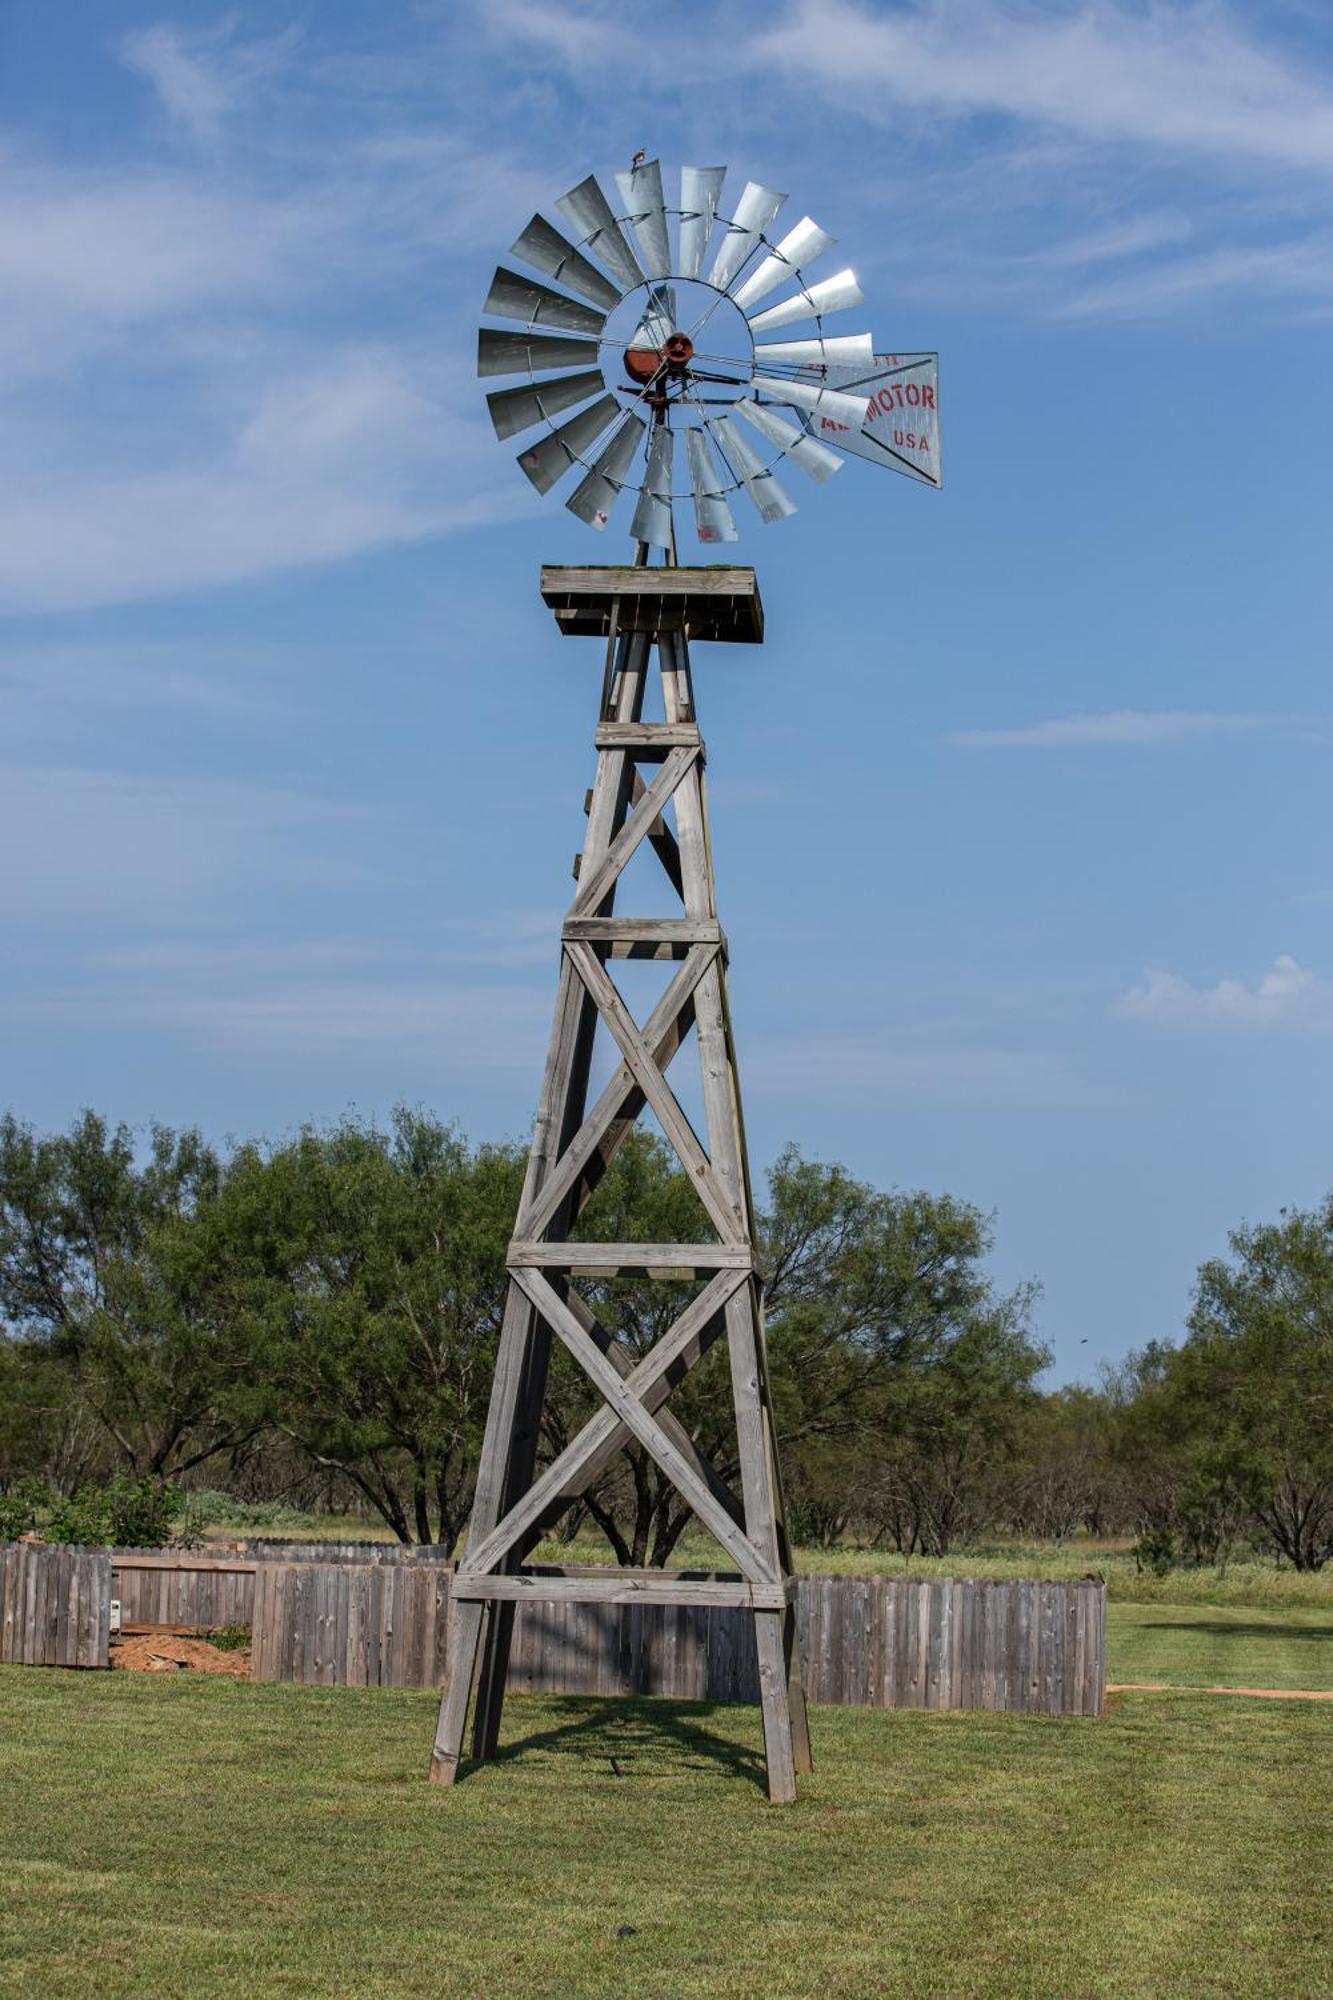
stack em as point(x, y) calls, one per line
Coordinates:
point(593, 1449)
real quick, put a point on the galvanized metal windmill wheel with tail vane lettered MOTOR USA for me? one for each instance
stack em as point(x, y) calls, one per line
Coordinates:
point(655, 323)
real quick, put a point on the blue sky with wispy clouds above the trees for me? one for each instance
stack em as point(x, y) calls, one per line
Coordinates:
point(1022, 811)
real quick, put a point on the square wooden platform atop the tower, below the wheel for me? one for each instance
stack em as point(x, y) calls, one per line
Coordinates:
point(702, 603)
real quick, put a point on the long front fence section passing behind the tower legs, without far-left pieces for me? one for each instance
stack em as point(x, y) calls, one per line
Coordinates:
point(866, 1641)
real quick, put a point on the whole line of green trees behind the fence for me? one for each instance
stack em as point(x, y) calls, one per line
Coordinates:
point(315, 1321)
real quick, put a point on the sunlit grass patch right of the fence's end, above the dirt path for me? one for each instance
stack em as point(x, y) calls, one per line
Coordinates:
point(1220, 1647)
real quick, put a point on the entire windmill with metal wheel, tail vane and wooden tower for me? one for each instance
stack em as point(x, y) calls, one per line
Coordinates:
point(649, 327)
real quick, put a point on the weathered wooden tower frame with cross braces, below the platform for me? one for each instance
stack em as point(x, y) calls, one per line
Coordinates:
point(573, 1145)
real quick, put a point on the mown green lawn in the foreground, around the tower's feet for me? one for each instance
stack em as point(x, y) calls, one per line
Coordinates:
point(203, 1837)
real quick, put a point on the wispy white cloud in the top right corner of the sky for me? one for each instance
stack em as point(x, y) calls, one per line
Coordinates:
point(1176, 77)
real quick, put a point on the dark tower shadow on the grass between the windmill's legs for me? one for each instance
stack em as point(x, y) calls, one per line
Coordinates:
point(631, 1739)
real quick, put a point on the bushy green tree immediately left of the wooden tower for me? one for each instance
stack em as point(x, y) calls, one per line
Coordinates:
point(361, 1275)
